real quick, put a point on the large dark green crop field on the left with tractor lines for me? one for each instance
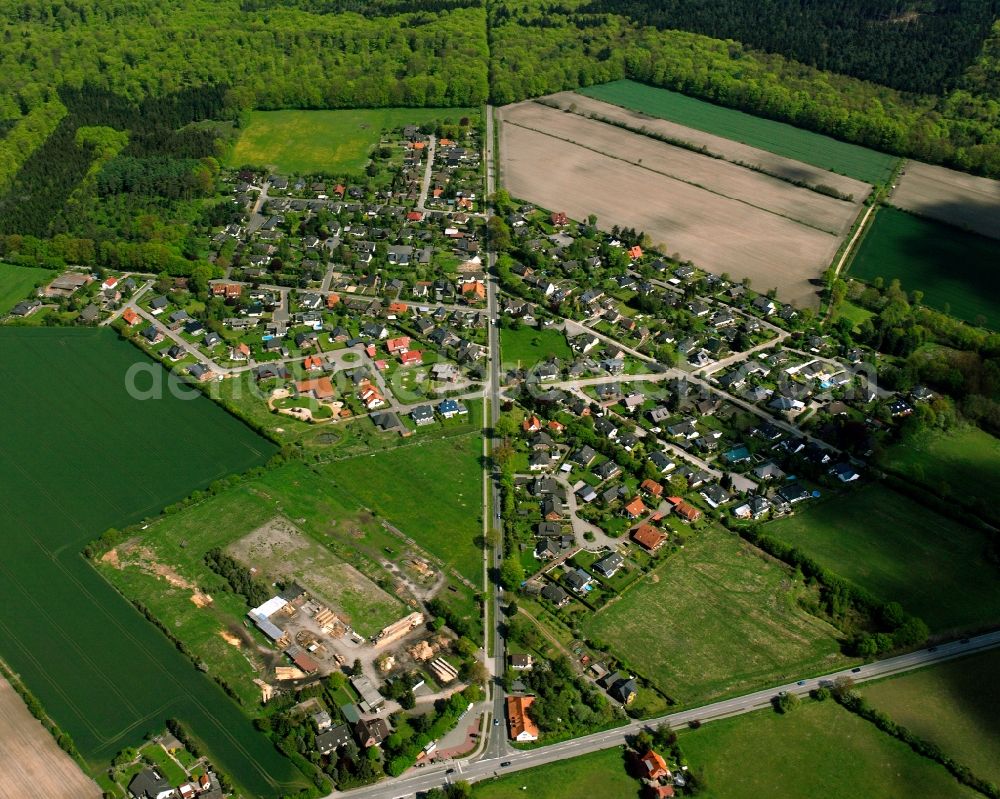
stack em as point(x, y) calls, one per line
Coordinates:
point(79, 455)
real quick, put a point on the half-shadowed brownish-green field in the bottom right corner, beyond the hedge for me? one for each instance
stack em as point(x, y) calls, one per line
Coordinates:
point(955, 705)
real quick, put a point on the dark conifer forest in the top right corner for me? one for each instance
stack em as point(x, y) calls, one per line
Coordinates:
point(921, 46)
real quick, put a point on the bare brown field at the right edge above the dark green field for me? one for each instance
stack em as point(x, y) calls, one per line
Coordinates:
point(954, 197)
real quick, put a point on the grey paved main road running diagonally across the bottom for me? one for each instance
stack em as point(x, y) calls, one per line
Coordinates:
point(419, 780)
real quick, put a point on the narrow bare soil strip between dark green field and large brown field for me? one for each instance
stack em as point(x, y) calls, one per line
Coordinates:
point(731, 150)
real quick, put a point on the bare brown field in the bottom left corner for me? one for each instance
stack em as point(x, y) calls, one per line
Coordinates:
point(30, 762)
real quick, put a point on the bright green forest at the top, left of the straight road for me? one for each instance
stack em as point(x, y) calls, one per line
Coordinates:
point(275, 54)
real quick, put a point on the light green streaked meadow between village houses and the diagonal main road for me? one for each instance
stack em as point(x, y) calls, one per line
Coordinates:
point(724, 619)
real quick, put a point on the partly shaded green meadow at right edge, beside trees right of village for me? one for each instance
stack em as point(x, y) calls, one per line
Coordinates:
point(962, 462)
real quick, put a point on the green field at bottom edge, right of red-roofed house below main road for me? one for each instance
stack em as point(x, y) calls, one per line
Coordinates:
point(819, 749)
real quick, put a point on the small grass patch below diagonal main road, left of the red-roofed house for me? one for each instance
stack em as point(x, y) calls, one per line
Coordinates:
point(600, 774)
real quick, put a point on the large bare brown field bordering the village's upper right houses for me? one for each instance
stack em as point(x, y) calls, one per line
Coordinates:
point(719, 233)
